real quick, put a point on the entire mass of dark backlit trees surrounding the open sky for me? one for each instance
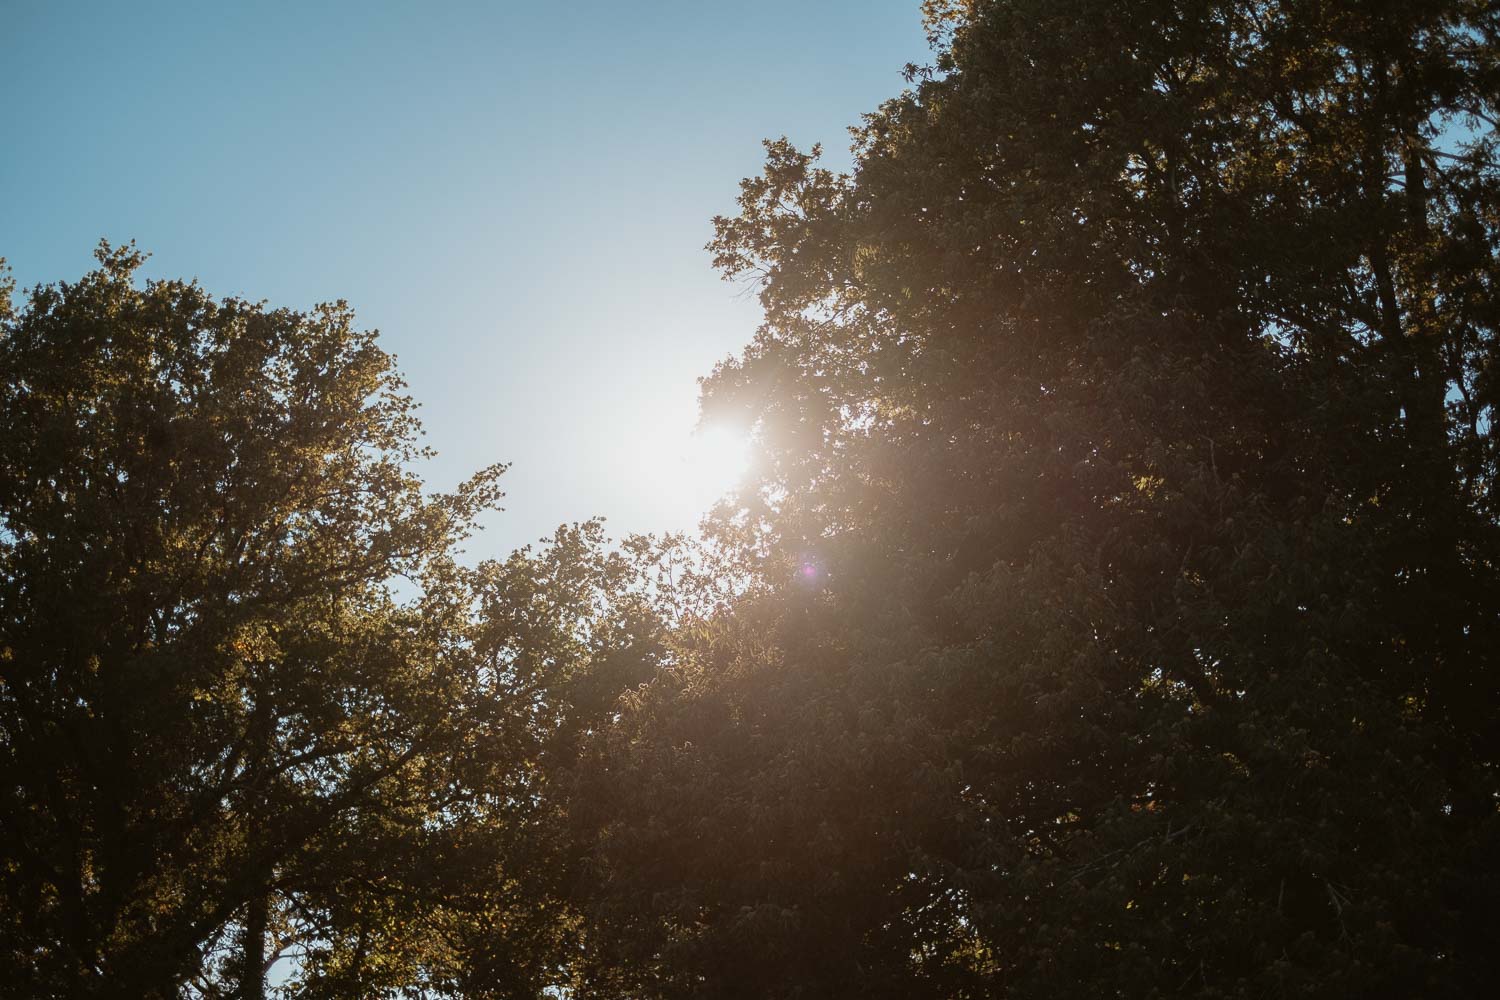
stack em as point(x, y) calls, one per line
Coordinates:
point(1115, 609)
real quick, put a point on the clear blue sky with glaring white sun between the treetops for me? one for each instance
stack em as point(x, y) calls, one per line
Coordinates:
point(517, 196)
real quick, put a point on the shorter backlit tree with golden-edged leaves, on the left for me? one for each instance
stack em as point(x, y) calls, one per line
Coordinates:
point(223, 735)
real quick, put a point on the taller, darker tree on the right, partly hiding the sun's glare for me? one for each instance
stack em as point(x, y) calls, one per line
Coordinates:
point(1129, 539)
